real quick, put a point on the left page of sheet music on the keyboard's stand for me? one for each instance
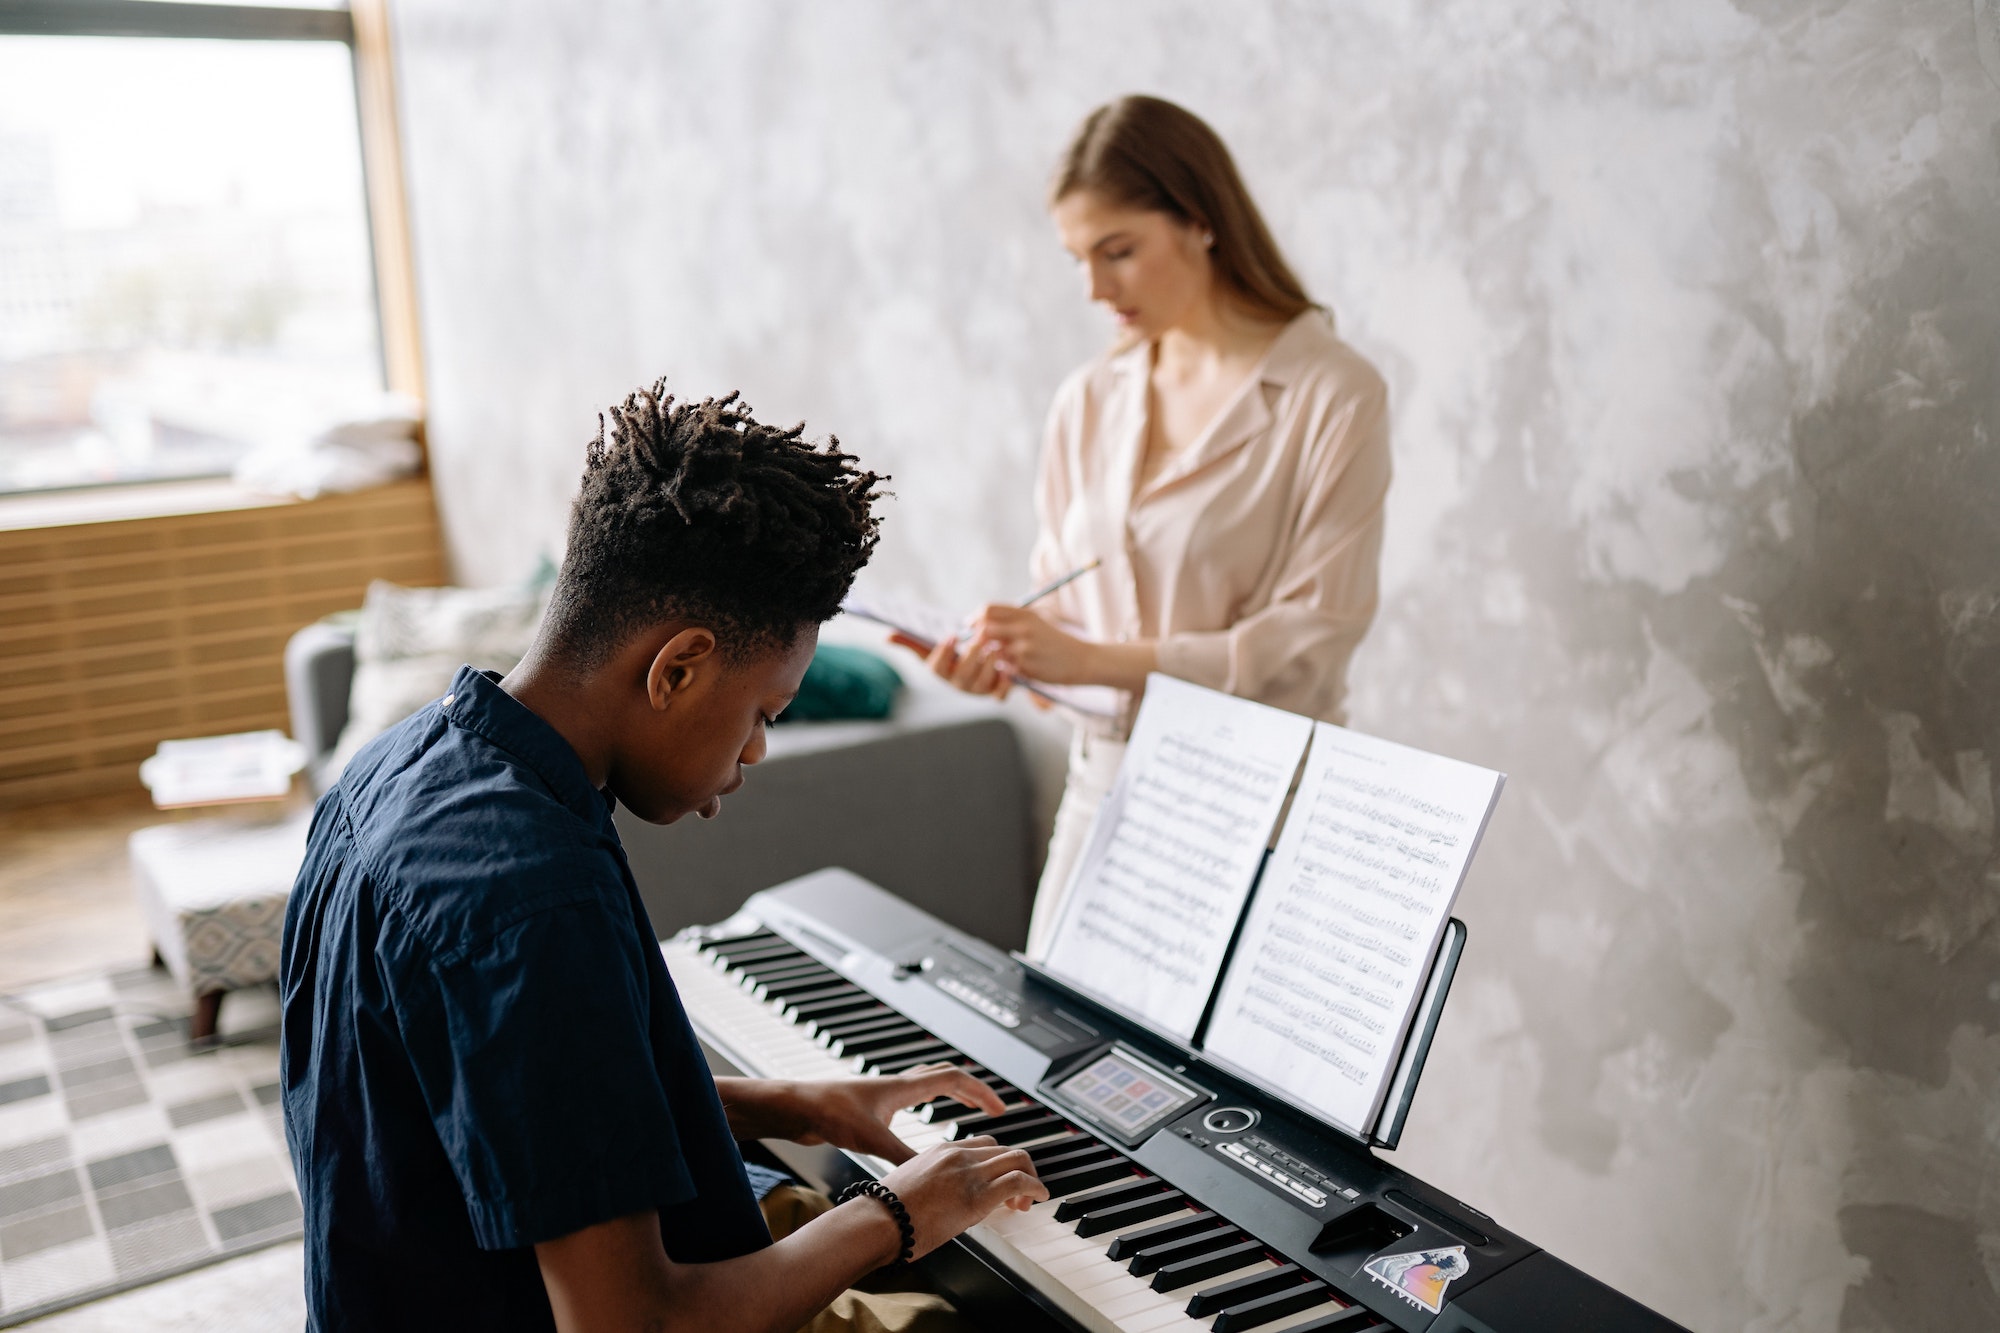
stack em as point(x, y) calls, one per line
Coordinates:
point(1175, 852)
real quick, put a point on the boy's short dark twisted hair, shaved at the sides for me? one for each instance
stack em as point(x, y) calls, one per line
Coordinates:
point(703, 513)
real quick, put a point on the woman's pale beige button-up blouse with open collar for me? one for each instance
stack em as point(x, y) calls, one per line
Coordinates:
point(1253, 555)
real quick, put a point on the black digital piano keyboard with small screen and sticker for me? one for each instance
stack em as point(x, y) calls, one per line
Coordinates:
point(1195, 1204)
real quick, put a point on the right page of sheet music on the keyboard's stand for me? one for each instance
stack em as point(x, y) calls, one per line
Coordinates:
point(1345, 926)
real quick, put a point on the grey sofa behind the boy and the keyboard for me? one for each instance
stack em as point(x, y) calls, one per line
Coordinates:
point(933, 804)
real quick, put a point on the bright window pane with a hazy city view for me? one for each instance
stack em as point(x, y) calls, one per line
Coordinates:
point(185, 259)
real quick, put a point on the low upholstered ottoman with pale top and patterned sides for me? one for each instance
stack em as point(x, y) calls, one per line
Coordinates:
point(215, 894)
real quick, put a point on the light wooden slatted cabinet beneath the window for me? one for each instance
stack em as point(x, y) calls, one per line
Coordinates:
point(119, 635)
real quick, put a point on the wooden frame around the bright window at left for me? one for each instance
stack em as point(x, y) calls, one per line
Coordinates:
point(365, 31)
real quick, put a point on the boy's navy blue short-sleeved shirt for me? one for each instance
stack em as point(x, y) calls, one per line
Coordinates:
point(483, 1048)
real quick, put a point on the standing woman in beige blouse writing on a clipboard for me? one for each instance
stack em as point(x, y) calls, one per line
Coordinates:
point(1225, 461)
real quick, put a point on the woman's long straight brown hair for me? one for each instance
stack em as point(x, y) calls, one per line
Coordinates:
point(1147, 153)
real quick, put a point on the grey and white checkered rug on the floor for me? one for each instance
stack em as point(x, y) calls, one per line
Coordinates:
point(125, 1156)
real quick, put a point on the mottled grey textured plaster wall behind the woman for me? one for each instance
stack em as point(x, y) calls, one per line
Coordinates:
point(1693, 321)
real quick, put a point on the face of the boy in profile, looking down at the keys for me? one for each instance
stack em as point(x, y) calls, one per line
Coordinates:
point(691, 744)
